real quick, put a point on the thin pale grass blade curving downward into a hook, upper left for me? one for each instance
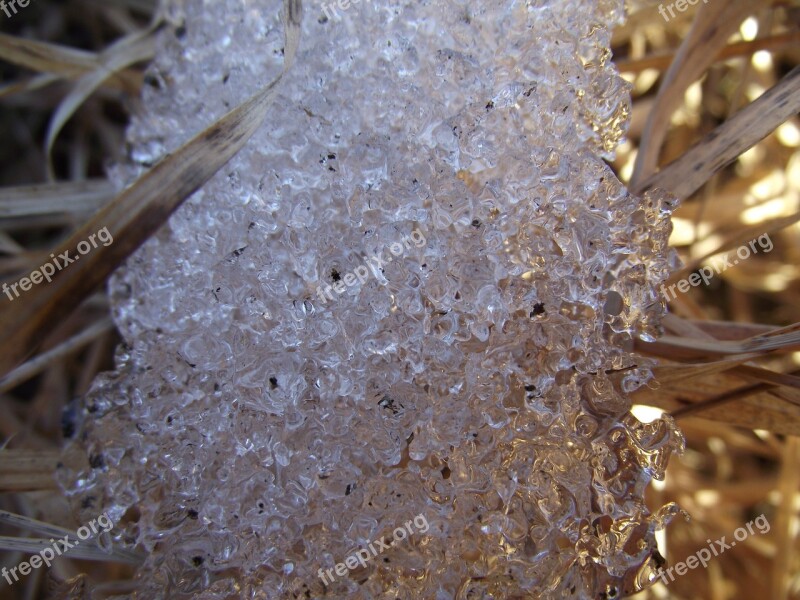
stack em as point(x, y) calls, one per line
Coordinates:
point(130, 50)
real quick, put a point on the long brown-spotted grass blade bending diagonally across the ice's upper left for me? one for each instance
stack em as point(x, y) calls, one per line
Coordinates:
point(137, 213)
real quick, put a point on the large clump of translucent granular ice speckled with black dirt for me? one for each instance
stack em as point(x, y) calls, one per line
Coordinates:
point(257, 430)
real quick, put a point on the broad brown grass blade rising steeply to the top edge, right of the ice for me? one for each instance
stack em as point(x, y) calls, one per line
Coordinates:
point(713, 25)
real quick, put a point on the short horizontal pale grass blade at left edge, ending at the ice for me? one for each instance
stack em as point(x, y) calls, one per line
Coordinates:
point(73, 197)
